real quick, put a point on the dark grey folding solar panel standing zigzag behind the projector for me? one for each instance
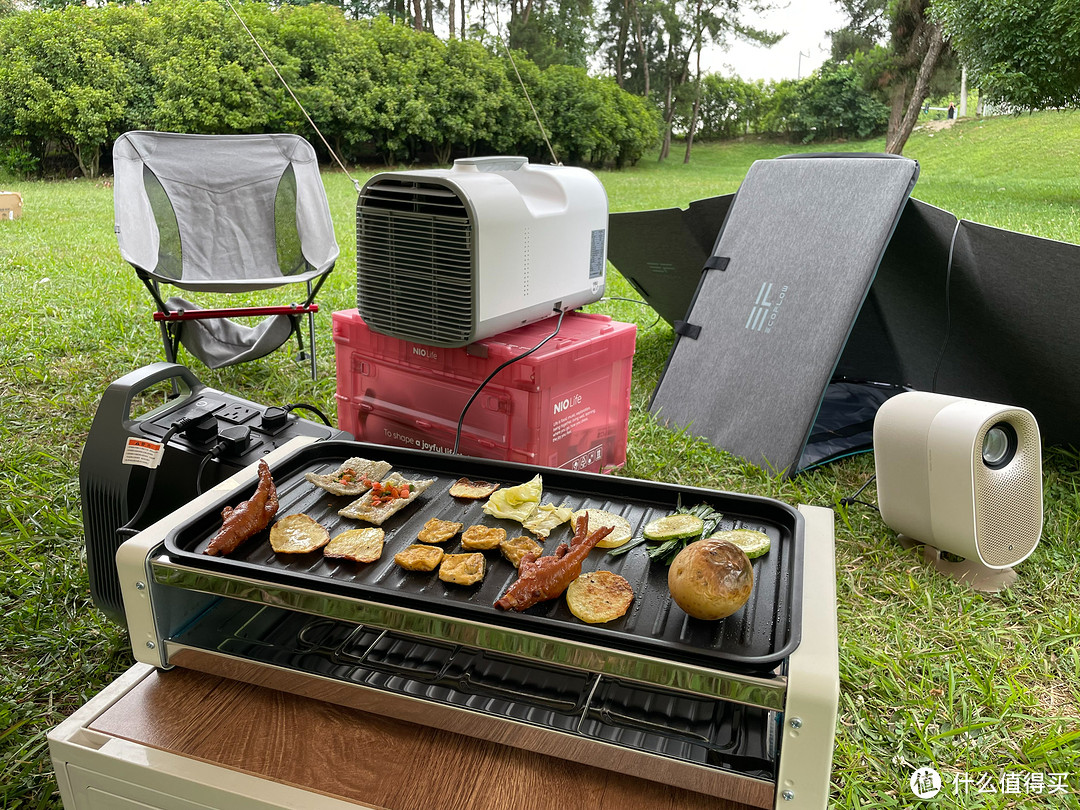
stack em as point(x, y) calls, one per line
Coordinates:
point(884, 293)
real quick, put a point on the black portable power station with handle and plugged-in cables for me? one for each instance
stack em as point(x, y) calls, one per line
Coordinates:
point(138, 468)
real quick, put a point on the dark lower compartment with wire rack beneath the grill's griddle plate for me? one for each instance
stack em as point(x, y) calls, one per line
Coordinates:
point(688, 728)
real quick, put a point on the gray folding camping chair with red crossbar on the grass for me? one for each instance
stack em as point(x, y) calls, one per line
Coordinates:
point(224, 214)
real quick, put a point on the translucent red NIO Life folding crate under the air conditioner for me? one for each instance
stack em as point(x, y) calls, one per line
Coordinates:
point(565, 406)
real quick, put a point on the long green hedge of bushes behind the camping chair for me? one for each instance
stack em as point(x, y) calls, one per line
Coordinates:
point(77, 78)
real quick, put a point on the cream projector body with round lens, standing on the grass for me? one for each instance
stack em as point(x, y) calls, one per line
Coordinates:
point(962, 476)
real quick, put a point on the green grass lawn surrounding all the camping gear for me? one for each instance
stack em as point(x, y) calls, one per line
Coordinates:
point(931, 672)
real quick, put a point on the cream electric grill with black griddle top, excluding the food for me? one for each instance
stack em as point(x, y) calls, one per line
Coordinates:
point(742, 709)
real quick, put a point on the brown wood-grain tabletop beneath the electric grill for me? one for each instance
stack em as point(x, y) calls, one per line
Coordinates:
point(364, 758)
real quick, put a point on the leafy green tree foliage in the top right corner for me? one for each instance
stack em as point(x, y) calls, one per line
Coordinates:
point(1025, 53)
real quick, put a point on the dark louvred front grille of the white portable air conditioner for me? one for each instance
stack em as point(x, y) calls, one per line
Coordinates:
point(415, 258)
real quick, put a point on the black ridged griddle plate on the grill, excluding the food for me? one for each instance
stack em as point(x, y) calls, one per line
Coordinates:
point(755, 639)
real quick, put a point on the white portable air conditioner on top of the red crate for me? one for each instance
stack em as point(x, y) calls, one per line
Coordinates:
point(447, 258)
